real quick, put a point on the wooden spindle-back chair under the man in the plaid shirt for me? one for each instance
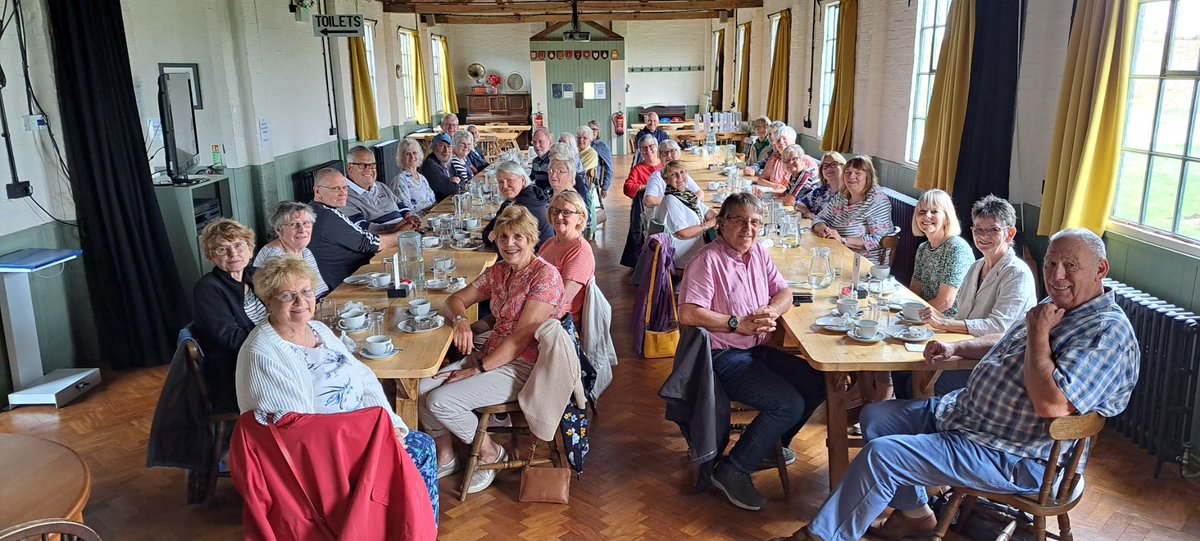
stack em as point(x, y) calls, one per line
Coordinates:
point(1072, 437)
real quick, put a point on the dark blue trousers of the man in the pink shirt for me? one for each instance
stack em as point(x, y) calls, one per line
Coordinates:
point(782, 387)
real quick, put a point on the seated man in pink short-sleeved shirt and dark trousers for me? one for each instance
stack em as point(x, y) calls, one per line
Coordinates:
point(736, 292)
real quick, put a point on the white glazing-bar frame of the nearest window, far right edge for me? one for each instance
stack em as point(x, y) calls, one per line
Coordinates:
point(1189, 157)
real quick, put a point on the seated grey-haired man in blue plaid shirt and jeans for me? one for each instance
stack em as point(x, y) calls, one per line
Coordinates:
point(1075, 353)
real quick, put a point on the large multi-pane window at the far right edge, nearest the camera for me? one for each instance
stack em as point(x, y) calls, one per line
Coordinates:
point(1159, 179)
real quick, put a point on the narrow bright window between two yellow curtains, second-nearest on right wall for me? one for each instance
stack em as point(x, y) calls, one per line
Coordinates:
point(931, 29)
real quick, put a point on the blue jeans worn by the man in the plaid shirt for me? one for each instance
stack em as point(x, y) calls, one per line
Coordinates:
point(903, 455)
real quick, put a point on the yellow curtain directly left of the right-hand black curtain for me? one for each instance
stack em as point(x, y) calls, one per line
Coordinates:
point(949, 104)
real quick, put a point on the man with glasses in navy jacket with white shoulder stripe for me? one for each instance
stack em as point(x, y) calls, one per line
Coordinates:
point(340, 245)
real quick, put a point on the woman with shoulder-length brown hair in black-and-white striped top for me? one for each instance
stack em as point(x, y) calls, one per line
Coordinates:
point(861, 215)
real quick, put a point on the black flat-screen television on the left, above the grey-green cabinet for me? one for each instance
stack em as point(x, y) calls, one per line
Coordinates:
point(178, 118)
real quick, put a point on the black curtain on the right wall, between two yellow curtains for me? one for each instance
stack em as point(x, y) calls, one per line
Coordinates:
point(987, 148)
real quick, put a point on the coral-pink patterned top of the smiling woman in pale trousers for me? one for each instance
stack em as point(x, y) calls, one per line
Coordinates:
point(509, 291)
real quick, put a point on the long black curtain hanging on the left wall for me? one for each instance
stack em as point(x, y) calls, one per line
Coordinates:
point(136, 294)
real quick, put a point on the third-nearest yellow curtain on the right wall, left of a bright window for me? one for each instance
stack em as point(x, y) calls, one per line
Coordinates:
point(841, 124)
